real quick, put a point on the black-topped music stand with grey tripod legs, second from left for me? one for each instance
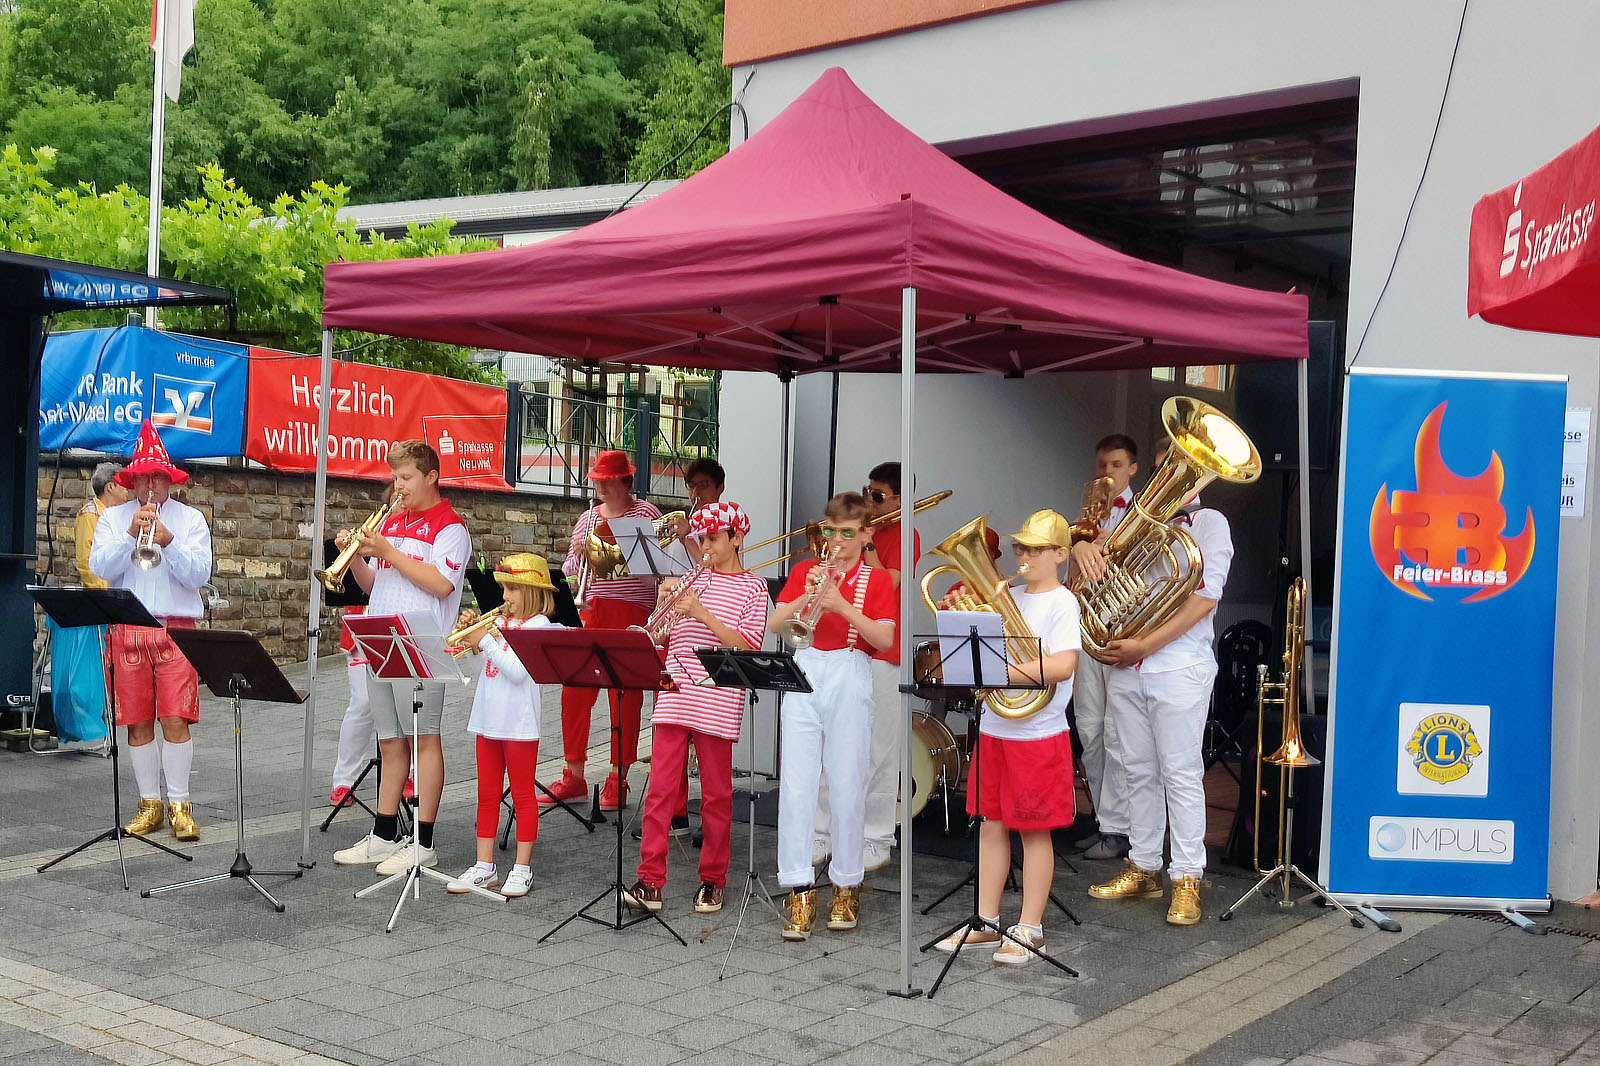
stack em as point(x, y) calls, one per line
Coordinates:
point(236, 667)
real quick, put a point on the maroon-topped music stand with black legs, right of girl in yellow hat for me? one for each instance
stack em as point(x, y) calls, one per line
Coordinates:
point(618, 660)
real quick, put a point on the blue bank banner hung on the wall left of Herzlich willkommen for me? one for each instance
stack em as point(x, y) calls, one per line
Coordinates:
point(97, 387)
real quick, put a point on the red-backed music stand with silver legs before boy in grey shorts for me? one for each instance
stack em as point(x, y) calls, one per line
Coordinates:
point(396, 652)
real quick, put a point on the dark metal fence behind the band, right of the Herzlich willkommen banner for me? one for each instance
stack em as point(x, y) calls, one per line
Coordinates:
point(562, 435)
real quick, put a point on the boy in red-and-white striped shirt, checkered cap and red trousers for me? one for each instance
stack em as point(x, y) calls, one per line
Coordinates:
point(727, 609)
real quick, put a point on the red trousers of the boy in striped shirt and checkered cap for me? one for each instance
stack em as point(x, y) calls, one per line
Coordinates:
point(670, 751)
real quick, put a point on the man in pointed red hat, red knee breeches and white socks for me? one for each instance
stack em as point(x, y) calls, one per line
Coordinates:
point(154, 683)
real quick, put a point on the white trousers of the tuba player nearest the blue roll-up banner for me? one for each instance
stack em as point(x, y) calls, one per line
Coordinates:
point(1161, 719)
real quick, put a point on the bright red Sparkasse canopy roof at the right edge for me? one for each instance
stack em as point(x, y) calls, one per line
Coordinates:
point(1535, 262)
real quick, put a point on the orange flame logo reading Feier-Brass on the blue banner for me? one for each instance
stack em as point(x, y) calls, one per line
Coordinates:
point(1450, 532)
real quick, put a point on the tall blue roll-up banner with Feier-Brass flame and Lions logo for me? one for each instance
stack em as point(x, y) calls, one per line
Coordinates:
point(1439, 740)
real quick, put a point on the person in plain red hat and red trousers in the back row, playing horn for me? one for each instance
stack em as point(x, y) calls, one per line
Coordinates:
point(614, 604)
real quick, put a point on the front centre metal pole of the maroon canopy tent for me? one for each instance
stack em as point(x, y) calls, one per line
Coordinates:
point(903, 631)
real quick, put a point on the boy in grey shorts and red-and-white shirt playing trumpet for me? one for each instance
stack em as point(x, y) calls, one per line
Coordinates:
point(418, 561)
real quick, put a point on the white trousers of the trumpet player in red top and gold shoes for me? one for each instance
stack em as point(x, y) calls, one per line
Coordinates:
point(828, 729)
